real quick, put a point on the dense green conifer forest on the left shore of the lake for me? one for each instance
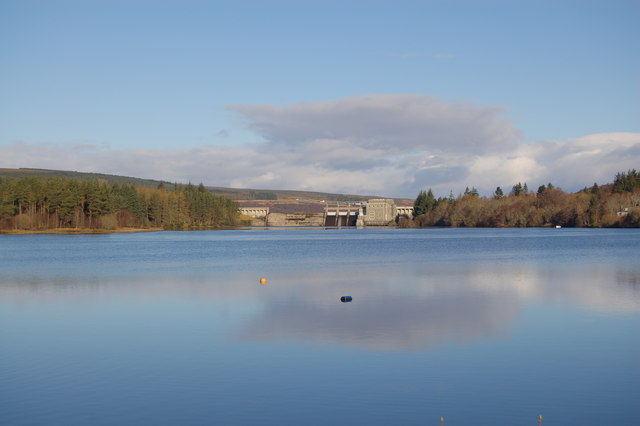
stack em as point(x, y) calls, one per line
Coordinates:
point(40, 204)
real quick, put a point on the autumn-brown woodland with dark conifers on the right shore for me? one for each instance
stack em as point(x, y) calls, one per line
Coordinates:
point(612, 205)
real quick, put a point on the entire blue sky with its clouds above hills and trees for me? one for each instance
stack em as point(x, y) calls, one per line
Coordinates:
point(363, 97)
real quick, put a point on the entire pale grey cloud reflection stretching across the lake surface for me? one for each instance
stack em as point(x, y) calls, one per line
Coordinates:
point(395, 307)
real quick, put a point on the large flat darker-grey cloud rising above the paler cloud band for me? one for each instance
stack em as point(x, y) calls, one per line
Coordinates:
point(396, 124)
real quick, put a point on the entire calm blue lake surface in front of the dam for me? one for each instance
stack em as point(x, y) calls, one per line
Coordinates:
point(480, 326)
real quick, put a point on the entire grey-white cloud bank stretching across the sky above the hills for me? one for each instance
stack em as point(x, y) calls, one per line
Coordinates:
point(391, 145)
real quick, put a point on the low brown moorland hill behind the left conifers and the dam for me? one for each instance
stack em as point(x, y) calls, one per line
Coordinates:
point(240, 194)
